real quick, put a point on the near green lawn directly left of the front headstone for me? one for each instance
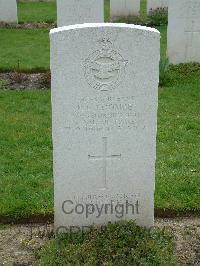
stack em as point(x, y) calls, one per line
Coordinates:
point(26, 185)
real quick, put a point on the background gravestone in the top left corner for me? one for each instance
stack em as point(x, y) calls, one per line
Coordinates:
point(8, 11)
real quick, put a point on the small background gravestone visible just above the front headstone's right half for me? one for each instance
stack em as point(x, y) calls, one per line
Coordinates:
point(124, 8)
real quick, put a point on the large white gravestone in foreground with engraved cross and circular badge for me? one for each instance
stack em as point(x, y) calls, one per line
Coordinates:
point(104, 107)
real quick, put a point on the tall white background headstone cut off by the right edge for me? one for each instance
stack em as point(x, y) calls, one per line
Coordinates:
point(184, 31)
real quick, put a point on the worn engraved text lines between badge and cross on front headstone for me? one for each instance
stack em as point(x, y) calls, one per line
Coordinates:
point(105, 113)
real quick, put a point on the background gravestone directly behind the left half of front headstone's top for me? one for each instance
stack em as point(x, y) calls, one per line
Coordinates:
point(71, 12)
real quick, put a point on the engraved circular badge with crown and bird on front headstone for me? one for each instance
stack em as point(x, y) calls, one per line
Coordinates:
point(105, 67)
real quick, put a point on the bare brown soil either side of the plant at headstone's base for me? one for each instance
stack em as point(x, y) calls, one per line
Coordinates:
point(19, 242)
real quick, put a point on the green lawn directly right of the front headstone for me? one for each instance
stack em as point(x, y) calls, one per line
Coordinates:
point(178, 142)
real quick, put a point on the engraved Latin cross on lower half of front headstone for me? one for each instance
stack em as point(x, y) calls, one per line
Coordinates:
point(104, 158)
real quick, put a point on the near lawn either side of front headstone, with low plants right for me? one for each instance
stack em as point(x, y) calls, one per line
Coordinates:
point(26, 184)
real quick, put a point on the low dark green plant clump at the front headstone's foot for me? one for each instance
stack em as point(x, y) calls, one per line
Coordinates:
point(115, 244)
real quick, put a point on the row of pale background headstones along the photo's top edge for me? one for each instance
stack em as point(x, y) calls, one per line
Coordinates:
point(183, 27)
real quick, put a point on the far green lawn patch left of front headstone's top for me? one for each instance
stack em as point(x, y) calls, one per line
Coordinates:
point(29, 48)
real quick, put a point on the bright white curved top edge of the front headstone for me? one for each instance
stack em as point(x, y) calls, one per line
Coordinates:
point(103, 25)
